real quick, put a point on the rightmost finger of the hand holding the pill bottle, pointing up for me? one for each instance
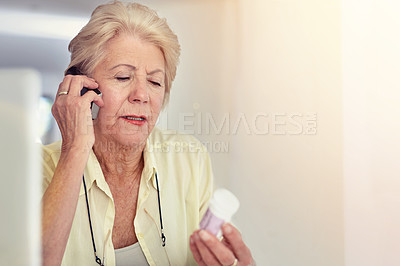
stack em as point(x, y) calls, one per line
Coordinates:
point(234, 238)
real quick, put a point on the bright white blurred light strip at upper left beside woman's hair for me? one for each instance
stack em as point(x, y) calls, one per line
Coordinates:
point(40, 25)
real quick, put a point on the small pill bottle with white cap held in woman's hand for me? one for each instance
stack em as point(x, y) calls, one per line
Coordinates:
point(223, 205)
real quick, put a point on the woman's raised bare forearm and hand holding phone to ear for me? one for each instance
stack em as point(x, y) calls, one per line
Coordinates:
point(73, 115)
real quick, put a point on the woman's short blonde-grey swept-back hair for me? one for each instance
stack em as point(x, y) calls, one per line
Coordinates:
point(108, 20)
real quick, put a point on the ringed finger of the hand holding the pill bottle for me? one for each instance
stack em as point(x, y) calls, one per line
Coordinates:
point(219, 250)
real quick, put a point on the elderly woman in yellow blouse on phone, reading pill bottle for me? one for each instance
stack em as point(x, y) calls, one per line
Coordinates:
point(117, 190)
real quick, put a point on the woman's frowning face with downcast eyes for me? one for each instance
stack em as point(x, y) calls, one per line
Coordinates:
point(132, 80)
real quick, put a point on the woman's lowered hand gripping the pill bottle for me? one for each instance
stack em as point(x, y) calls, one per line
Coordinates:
point(231, 250)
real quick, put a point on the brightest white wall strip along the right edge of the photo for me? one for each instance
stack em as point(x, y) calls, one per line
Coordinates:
point(371, 131)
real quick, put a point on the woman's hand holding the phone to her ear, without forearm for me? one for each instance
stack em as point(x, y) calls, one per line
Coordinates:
point(72, 112)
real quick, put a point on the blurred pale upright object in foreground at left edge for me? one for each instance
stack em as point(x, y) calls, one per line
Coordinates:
point(20, 171)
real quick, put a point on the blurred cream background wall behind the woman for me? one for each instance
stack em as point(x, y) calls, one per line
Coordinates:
point(297, 102)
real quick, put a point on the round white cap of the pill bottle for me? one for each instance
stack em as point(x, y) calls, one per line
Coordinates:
point(224, 204)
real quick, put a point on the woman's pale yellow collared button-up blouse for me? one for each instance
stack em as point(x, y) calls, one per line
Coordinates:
point(185, 179)
